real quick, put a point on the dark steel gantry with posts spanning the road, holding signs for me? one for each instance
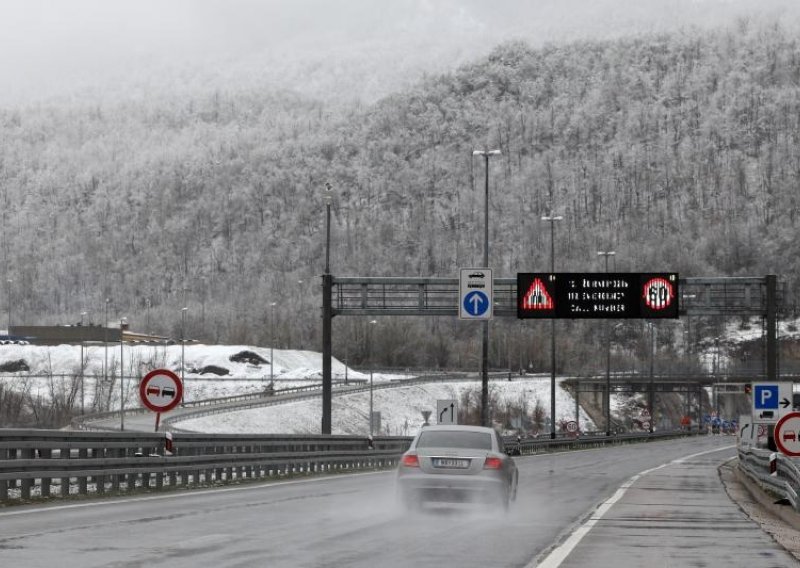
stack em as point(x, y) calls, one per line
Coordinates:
point(393, 296)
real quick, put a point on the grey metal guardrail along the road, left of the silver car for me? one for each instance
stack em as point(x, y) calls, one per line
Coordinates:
point(43, 462)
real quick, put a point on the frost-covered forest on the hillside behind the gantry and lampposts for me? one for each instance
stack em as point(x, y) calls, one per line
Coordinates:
point(677, 150)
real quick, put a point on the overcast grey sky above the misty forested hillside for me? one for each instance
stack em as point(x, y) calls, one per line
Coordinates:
point(52, 47)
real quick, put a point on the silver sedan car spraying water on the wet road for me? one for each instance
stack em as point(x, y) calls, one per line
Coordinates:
point(456, 464)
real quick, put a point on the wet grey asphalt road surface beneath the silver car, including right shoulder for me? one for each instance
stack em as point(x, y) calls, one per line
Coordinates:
point(678, 515)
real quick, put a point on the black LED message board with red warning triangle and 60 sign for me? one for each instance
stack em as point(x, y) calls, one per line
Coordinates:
point(579, 295)
